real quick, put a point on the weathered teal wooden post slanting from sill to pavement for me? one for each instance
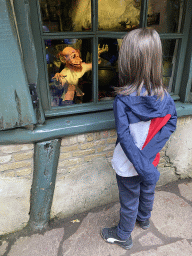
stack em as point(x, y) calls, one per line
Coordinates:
point(46, 156)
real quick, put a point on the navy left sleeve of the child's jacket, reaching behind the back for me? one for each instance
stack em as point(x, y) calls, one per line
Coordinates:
point(139, 158)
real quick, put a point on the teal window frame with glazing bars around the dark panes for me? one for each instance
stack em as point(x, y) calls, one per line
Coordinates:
point(94, 35)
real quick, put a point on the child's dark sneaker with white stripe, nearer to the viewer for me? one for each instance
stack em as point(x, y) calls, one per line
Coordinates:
point(110, 236)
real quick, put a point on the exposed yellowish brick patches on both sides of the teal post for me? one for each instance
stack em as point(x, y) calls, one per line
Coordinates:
point(17, 160)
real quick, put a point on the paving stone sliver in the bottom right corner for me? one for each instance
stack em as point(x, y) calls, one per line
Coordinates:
point(180, 248)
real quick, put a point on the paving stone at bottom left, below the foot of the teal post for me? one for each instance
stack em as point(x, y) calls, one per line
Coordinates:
point(38, 245)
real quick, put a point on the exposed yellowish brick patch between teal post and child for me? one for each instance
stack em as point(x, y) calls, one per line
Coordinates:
point(80, 149)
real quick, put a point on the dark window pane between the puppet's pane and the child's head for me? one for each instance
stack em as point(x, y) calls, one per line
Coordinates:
point(108, 67)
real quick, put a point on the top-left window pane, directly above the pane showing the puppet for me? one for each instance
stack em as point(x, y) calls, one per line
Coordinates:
point(65, 15)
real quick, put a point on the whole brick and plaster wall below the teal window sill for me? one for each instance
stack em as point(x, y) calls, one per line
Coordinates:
point(85, 178)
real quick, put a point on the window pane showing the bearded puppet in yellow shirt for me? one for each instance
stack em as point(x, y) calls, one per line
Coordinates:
point(70, 62)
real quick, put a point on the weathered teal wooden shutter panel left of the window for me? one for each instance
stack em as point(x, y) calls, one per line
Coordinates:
point(16, 108)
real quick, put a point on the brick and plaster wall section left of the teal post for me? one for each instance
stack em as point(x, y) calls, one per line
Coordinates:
point(16, 169)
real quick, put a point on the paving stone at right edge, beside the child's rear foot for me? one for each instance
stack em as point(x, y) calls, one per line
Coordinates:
point(171, 215)
